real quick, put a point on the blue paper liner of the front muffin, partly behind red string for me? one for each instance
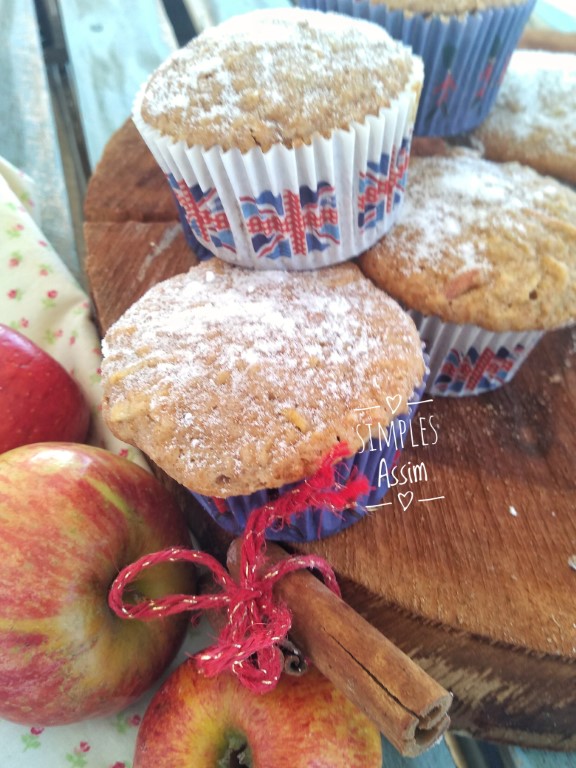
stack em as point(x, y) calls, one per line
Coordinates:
point(233, 512)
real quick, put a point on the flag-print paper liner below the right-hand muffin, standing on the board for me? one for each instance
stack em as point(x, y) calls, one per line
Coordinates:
point(468, 360)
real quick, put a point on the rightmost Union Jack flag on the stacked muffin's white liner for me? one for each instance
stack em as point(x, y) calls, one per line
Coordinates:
point(381, 187)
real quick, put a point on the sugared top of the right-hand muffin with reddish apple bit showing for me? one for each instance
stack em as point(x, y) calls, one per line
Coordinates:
point(478, 242)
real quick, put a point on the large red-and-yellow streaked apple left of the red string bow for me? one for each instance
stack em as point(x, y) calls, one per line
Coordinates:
point(71, 517)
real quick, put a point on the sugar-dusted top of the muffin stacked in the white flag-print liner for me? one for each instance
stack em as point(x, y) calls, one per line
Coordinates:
point(276, 76)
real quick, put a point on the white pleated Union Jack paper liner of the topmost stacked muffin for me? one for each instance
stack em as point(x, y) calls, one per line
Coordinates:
point(300, 208)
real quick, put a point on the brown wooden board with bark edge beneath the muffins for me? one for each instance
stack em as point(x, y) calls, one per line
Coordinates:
point(471, 569)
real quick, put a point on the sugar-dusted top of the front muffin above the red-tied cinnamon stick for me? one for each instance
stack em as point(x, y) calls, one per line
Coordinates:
point(234, 380)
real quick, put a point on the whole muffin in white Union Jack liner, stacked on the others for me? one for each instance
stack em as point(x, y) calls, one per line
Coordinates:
point(285, 135)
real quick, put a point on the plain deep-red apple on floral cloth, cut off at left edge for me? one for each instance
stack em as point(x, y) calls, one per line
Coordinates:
point(39, 400)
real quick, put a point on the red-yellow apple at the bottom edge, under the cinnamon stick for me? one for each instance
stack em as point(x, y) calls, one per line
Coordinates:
point(305, 722)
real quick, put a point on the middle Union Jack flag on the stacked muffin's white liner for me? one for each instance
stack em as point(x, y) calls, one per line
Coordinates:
point(292, 223)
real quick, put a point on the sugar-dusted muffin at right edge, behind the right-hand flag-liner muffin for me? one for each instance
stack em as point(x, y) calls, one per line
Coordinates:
point(532, 121)
